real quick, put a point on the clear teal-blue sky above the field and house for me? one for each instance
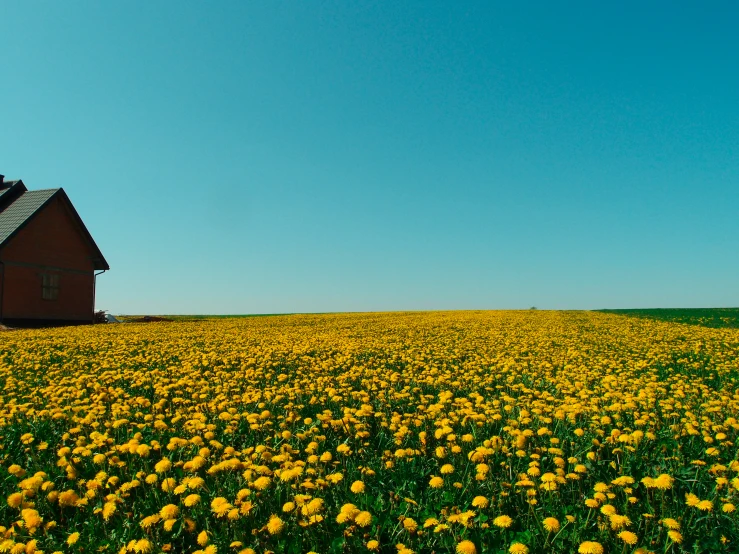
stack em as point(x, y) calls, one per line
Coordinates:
point(271, 157)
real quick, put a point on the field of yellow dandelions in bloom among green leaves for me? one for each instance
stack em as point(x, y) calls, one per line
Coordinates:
point(466, 432)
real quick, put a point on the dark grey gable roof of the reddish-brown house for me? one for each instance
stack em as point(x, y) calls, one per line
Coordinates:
point(27, 204)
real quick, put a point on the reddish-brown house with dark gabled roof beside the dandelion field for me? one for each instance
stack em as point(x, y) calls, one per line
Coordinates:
point(48, 260)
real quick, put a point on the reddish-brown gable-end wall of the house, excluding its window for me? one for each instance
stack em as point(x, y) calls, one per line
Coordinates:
point(50, 243)
